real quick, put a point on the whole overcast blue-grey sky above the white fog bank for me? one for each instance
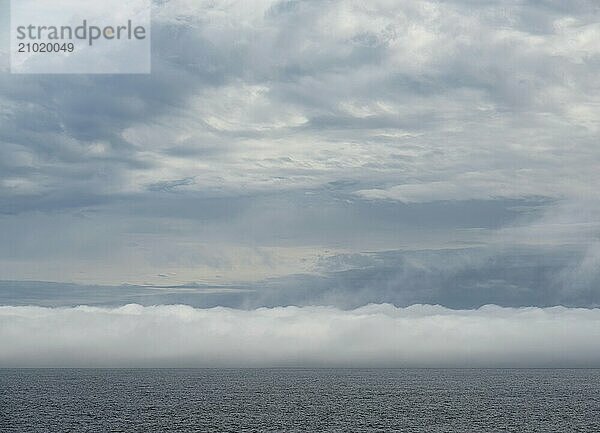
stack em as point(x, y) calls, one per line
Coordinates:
point(332, 153)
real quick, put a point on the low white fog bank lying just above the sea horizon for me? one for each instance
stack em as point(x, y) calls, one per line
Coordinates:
point(374, 335)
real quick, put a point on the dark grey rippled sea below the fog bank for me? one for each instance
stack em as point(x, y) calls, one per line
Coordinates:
point(311, 400)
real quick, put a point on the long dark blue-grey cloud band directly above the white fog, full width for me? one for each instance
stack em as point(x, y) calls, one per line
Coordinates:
point(457, 278)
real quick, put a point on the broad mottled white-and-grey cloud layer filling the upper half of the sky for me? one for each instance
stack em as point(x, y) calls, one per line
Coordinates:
point(403, 99)
